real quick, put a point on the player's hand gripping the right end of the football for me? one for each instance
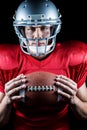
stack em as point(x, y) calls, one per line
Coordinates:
point(66, 87)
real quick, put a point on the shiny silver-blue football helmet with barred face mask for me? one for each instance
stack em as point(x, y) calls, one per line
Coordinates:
point(37, 13)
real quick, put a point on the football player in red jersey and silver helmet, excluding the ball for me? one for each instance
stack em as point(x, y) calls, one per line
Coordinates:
point(37, 24)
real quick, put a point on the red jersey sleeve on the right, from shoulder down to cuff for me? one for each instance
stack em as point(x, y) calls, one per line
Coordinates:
point(78, 63)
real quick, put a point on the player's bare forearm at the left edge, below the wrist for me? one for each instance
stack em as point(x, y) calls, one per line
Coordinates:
point(5, 111)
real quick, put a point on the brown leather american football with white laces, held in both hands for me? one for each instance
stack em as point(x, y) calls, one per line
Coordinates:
point(41, 88)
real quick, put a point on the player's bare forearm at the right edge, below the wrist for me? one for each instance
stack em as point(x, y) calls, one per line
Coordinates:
point(80, 108)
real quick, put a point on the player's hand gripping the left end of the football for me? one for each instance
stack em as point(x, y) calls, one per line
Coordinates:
point(13, 87)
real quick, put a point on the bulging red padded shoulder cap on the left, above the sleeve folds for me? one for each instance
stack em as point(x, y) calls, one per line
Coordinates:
point(8, 56)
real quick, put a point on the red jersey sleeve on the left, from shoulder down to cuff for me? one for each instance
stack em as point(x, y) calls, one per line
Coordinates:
point(8, 63)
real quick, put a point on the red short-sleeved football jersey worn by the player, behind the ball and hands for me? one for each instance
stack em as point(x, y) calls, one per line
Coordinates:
point(69, 59)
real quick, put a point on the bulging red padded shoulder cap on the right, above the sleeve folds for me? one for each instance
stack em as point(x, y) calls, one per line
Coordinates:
point(76, 51)
